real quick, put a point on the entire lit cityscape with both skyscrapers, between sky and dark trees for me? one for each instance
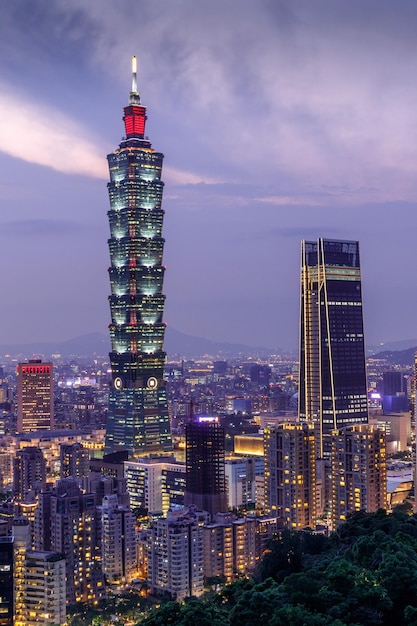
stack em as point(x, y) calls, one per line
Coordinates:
point(173, 500)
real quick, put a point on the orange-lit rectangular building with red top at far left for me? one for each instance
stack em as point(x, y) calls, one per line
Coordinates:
point(35, 396)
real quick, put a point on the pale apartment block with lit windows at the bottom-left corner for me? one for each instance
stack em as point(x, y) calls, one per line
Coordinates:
point(44, 597)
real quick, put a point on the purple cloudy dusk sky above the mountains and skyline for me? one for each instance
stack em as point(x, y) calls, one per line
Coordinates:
point(279, 120)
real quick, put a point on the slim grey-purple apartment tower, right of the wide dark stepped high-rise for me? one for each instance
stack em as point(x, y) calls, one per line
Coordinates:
point(118, 541)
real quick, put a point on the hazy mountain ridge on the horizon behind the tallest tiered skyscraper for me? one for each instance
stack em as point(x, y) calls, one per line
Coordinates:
point(97, 344)
